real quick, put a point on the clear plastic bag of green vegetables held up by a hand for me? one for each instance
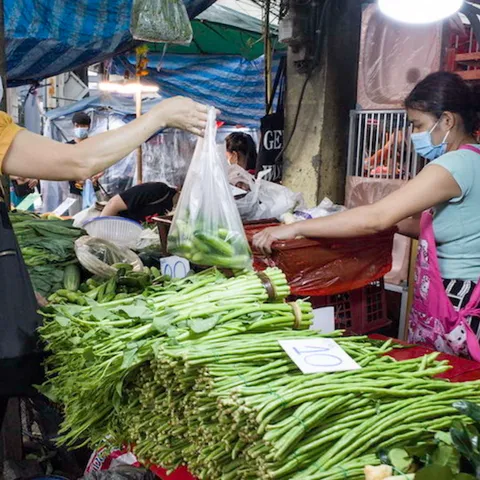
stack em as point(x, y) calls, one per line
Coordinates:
point(206, 228)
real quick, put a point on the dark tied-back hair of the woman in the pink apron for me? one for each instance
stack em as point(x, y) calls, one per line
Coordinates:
point(447, 92)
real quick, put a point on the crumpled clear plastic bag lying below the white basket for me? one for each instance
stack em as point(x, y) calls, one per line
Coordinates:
point(97, 256)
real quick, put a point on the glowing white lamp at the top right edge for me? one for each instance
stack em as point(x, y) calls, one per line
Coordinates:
point(419, 11)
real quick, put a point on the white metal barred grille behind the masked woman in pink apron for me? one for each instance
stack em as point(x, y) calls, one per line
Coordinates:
point(380, 146)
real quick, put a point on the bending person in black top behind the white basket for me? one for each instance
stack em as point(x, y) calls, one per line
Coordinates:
point(141, 202)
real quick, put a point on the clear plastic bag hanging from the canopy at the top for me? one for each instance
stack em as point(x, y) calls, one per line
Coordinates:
point(164, 21)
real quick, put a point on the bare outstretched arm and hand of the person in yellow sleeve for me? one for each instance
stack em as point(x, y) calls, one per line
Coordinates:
point(34, 156)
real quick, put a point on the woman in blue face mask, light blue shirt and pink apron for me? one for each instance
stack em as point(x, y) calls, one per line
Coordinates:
point(444, 112)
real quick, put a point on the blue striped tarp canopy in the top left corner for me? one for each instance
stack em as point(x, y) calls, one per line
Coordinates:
point(45, 38)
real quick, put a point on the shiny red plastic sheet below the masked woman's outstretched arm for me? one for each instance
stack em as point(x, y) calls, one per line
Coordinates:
point(328, 266)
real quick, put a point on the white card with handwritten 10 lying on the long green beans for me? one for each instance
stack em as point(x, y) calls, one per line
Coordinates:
point(318, 355)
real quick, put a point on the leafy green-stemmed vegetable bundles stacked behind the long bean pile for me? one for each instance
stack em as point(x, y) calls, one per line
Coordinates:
point(96, 348)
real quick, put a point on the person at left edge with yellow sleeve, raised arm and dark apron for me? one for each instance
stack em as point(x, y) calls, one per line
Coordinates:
point(27, 155)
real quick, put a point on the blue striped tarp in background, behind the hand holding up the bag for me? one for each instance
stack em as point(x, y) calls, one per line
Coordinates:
point(236, 86)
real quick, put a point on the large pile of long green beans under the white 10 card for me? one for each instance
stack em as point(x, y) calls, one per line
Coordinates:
point(238, 408)
